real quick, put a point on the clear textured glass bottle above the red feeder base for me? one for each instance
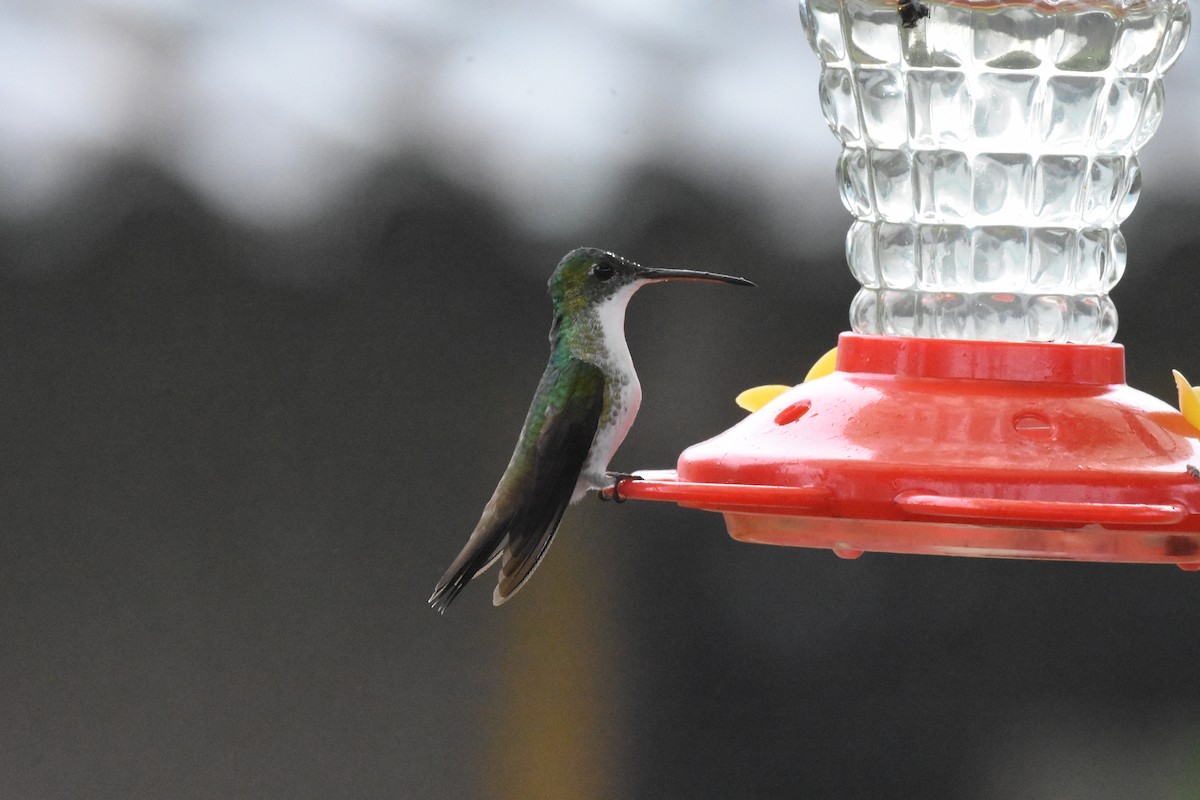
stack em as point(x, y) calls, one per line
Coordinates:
point(989, 157)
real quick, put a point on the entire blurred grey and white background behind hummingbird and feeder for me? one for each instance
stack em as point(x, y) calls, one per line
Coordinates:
point(272, 309)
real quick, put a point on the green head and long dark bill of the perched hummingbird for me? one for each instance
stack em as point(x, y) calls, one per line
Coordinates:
point(589, 278)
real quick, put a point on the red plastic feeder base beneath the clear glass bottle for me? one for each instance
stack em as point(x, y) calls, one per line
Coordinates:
point(956, 448)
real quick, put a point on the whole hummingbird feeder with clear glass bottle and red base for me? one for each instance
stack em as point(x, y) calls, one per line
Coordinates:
point(980, 406)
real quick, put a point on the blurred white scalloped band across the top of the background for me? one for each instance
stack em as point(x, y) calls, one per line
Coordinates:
point(272, 110)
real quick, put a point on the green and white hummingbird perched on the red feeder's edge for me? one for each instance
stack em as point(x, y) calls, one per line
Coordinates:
point(585, 406)
